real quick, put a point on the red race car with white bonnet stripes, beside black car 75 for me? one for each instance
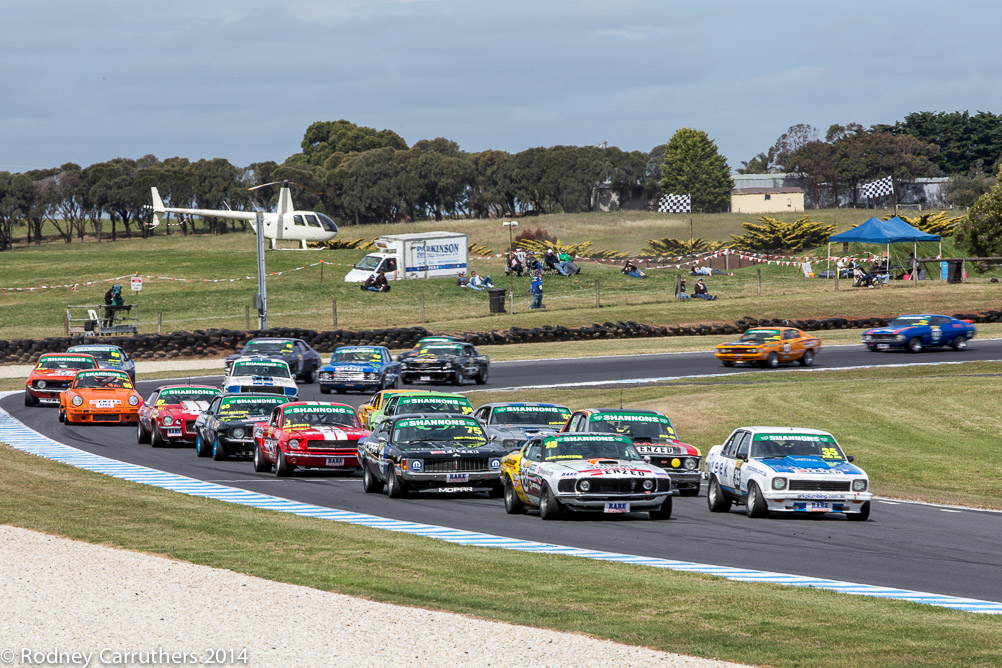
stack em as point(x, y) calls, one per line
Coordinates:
point(308, 435)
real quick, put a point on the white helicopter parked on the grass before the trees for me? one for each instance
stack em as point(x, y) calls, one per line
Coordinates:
point(285, 224)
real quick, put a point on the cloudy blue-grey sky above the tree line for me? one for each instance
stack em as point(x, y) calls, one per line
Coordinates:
point(87, 83)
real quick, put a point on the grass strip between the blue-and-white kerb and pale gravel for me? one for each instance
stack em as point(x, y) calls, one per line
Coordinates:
point(692, 614)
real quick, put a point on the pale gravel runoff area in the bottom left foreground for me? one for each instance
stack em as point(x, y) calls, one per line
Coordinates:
point(130, 608)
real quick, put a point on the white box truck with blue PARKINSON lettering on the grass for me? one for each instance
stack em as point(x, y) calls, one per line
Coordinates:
point(417, 256)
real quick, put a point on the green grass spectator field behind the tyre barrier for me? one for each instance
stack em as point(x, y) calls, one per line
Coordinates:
point(222, 283)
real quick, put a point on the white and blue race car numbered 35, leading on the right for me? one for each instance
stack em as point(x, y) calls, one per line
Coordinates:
point(786, 470)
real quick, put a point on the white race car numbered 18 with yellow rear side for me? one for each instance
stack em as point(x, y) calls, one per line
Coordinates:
point(585, 472)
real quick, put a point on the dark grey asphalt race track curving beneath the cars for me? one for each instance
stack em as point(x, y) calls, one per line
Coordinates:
point(911, 546)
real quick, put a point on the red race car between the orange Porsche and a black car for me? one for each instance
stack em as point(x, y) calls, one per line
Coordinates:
point(169, 416)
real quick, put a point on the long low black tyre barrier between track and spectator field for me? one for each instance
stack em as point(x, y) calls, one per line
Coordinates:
point(220, 343)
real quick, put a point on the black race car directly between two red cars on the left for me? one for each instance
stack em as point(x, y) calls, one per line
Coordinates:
point(227, 427)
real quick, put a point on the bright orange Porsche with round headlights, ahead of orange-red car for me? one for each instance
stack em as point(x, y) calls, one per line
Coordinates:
point(101, 396)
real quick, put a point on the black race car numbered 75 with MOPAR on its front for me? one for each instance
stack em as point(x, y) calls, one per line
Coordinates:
point(439, 453)
